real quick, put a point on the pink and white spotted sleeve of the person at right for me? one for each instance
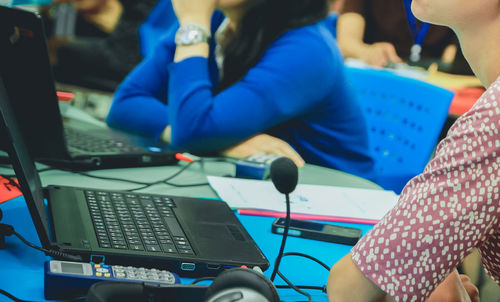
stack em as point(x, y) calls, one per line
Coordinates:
point(442, 214)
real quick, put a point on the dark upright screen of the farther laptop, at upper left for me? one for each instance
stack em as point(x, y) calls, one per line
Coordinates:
point(28, 79)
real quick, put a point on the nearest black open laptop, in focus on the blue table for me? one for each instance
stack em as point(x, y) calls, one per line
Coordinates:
point(188, 236)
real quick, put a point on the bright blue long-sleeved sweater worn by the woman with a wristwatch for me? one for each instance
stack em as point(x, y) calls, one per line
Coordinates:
point(297, 92)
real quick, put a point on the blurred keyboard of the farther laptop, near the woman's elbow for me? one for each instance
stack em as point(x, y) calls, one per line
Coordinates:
point(91, 143)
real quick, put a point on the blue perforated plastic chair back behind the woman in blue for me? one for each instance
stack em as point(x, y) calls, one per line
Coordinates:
point(404, 116)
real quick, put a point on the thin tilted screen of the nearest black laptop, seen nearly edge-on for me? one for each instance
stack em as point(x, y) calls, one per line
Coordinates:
point(24, 167)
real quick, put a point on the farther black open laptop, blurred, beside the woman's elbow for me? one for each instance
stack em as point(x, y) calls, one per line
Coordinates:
point(63, 142)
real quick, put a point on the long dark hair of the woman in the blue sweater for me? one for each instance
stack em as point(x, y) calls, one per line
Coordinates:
point(263, 22)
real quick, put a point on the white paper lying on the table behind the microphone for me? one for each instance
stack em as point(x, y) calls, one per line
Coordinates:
point(306, 199)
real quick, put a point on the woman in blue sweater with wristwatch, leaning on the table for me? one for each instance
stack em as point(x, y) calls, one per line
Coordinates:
point(270, 71)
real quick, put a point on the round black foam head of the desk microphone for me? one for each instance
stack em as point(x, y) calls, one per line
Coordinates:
point(284, 175)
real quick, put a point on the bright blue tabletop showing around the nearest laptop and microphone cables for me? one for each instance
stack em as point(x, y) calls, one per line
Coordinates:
point(21, 271)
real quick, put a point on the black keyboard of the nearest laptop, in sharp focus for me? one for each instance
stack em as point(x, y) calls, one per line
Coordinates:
point(137, 222)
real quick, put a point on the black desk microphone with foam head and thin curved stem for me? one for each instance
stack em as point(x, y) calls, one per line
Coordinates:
point(284, 175)
